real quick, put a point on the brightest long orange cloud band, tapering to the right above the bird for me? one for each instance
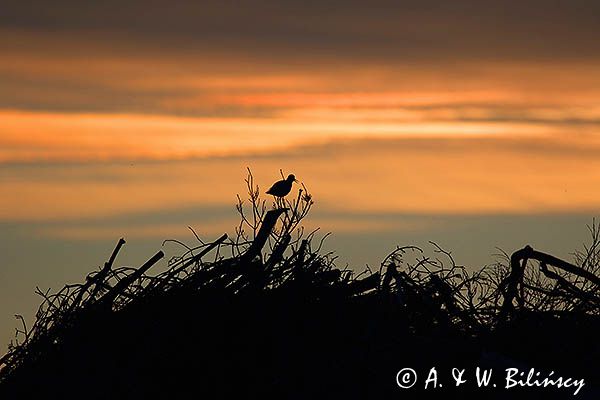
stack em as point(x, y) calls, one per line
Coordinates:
point(26, 136)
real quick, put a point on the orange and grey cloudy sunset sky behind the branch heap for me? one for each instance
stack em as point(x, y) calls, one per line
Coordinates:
point(475, 124)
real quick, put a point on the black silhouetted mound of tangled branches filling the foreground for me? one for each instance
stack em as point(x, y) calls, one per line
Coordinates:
point(291, 325)
